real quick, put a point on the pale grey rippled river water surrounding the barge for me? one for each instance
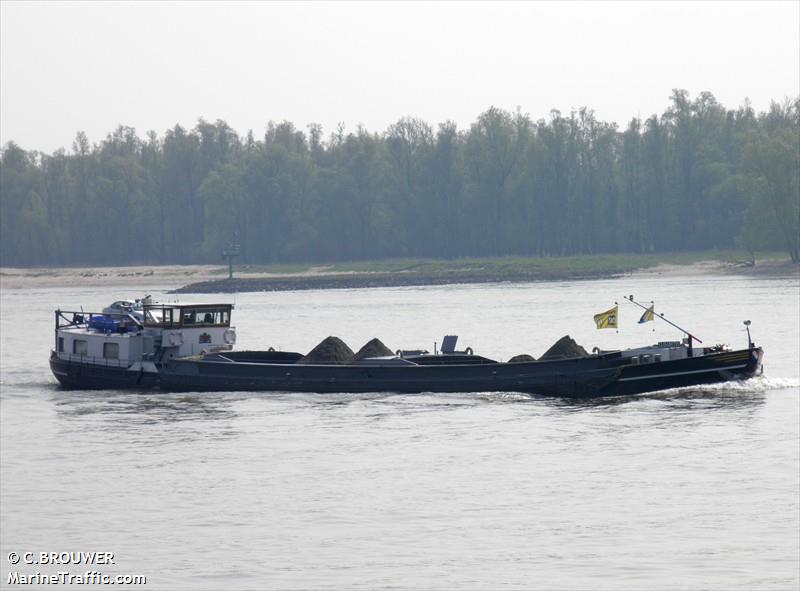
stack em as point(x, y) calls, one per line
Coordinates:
point(686, 489)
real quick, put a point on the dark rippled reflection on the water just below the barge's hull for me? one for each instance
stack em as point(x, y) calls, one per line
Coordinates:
point(149, 407)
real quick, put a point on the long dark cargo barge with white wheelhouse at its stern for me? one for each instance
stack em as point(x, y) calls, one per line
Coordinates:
point(189, 347)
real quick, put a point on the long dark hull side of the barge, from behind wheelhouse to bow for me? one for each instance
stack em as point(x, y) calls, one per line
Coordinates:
point(597, 375)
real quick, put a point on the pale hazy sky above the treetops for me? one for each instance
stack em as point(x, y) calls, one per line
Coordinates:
point(70, 66)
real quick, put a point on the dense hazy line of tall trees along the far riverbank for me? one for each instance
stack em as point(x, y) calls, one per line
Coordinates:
point(697, 177)
